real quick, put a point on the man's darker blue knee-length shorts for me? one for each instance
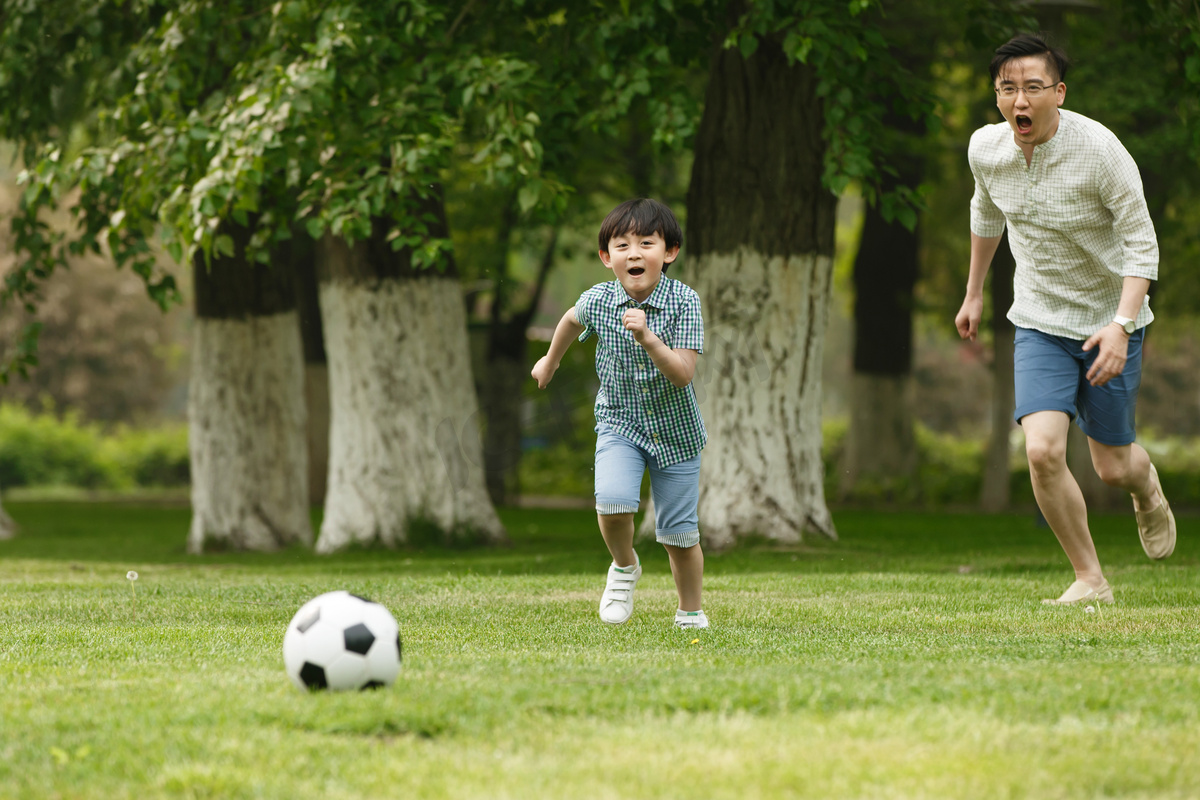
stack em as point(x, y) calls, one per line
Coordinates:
point(1049, 375)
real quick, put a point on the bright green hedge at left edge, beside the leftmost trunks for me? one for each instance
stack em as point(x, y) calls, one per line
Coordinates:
point(49, 450)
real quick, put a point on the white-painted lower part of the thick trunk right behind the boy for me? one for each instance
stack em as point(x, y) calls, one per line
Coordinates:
point(759, 383)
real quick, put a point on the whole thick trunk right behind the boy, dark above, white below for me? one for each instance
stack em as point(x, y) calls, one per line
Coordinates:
point(761, 242)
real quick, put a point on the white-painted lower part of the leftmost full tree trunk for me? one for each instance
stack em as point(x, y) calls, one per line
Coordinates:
point(248, 435)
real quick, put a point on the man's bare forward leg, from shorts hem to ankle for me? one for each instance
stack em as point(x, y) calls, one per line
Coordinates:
point(1058, 494)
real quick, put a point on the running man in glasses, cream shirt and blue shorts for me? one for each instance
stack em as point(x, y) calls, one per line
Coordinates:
point(1085, 252)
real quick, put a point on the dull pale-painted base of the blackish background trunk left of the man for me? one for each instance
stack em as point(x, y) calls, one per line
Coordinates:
point(881, 444)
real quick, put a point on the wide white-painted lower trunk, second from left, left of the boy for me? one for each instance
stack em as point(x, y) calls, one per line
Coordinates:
point(405, 444)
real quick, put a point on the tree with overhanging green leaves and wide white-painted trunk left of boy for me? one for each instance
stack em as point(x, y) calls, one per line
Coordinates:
point(340, 117)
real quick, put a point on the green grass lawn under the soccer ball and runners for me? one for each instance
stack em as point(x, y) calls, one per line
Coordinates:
point(909, 660)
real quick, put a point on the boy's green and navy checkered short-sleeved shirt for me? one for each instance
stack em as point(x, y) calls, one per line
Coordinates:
point(635, 399)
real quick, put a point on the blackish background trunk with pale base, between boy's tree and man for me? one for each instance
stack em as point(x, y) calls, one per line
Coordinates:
point(881, 444)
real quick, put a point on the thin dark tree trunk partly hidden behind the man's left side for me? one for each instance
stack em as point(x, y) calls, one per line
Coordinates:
point(997, 492)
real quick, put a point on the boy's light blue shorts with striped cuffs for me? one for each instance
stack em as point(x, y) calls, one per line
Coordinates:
point(621, 466)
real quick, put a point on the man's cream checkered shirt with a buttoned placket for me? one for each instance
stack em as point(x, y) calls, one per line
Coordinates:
point(1077, 224)
